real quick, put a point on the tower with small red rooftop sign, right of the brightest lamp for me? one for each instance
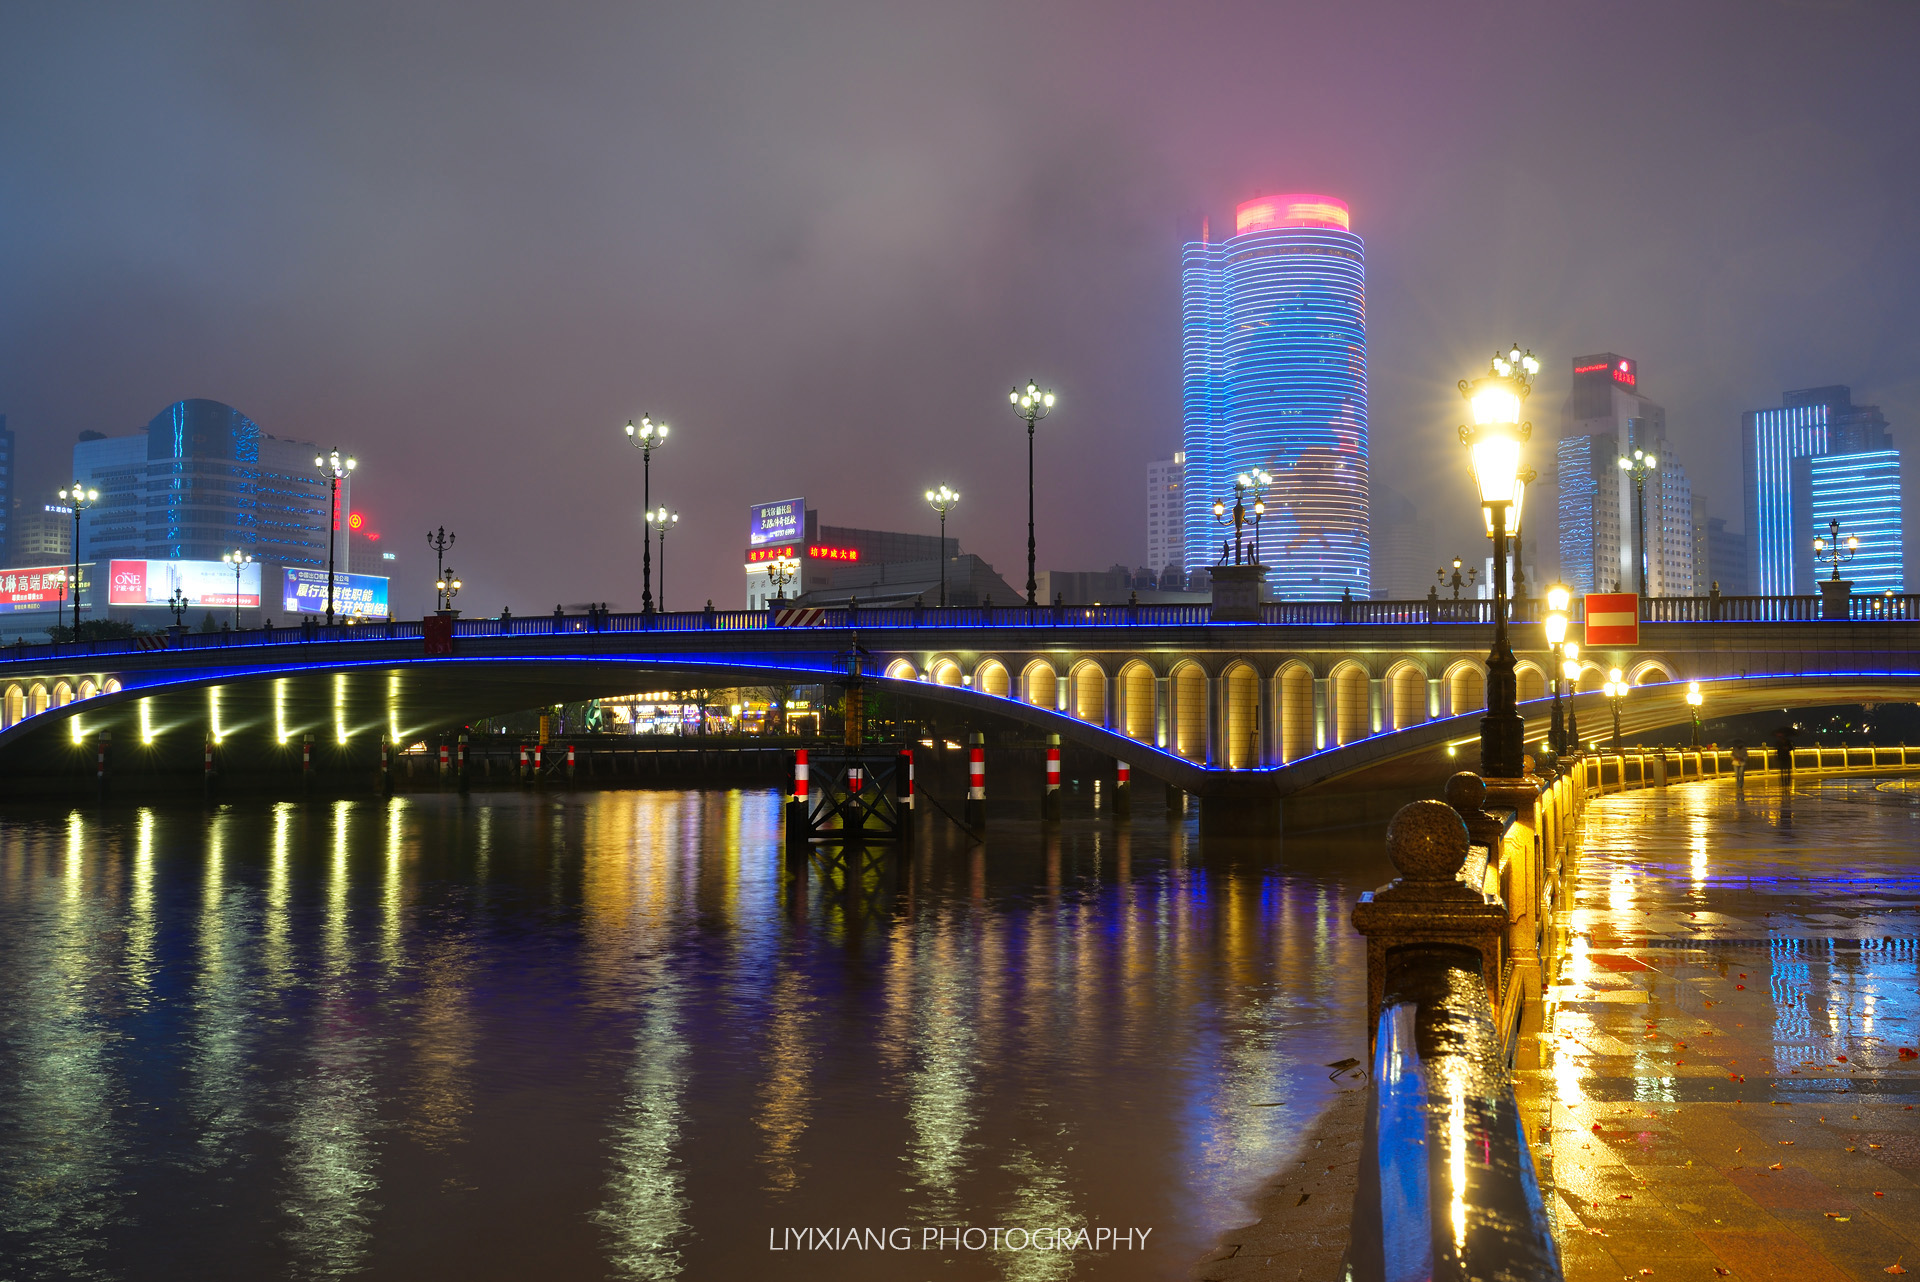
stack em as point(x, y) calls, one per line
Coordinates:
point(1598, 521)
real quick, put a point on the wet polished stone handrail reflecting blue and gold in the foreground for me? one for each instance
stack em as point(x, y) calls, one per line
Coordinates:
point(1447, 1181)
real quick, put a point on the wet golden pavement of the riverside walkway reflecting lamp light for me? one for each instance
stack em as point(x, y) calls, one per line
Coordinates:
point(1729, 1083)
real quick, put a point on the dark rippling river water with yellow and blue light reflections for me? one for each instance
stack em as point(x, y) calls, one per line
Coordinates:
point(612, 1035)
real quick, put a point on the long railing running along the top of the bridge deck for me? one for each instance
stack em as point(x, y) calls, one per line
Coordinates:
point(857, 617)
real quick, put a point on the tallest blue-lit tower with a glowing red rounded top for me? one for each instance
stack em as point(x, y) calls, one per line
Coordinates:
point(1276, 377)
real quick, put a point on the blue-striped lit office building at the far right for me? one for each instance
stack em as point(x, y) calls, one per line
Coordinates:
point(1813, 460)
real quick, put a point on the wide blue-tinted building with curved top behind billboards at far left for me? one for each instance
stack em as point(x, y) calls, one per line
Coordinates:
point(201, 483)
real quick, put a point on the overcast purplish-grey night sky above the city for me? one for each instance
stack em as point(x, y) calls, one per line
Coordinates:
point(471, 241)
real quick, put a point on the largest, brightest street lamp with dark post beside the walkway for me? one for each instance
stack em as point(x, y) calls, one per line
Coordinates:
point(1495, 444)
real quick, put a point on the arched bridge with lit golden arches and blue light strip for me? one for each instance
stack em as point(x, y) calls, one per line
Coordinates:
point(1318, 696)
